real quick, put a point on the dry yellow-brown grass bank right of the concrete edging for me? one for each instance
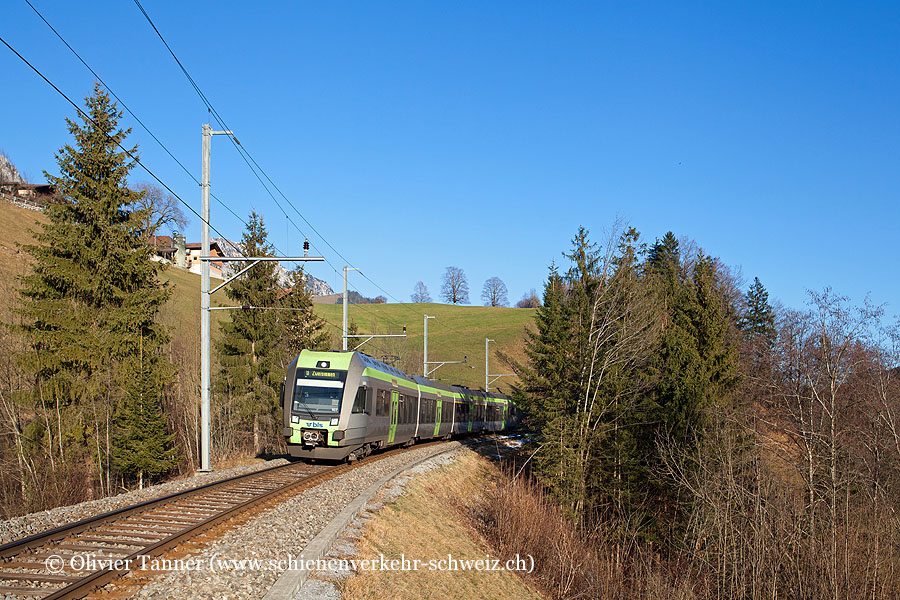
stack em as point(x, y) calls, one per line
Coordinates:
point(429, 522)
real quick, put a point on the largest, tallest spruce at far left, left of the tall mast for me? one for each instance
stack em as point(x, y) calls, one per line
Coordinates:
point(89, 304)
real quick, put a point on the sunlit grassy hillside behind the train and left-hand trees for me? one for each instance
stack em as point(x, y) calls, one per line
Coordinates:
point(456, 331)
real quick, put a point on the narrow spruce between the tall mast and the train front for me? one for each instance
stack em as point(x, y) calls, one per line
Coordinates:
point(251, 346)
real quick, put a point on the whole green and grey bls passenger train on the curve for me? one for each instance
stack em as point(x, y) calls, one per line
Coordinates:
point(344, 405)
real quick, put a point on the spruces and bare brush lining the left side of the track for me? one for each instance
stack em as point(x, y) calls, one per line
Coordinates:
point(95, 393)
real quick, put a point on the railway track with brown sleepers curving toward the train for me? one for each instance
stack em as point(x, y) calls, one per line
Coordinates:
point(117, 539)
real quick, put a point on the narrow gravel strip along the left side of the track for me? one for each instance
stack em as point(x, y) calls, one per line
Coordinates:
point(20, 527)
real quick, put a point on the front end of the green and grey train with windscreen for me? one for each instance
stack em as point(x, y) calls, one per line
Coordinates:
point(319, 390)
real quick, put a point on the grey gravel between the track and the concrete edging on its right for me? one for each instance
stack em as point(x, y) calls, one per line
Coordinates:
point(274, 535)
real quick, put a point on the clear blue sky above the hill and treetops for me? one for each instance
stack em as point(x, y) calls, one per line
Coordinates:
point(417, 135)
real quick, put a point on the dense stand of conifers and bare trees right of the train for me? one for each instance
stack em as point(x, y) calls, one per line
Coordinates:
point(704, 441)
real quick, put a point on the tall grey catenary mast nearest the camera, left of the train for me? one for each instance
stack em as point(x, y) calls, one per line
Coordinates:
point(204, 305)
